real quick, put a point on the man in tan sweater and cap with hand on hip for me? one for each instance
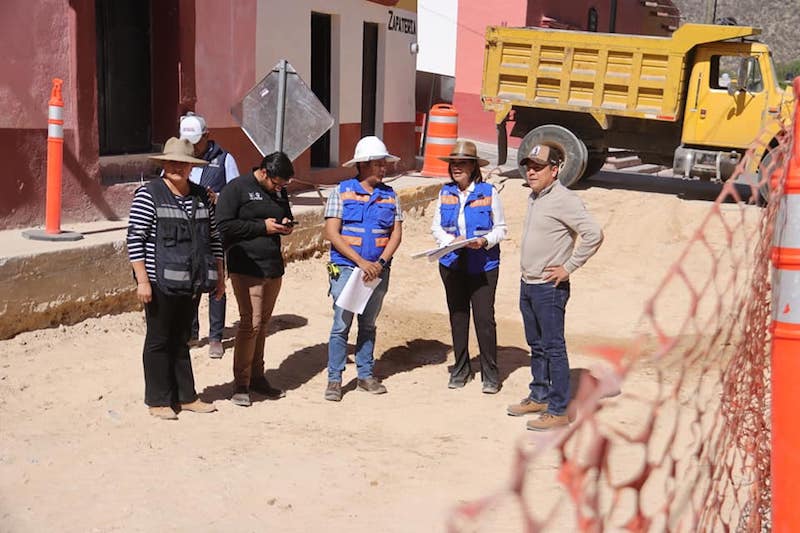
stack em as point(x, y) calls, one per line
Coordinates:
point(556, 217)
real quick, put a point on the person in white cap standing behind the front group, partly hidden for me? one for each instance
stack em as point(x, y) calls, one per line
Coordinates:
point(220, 170)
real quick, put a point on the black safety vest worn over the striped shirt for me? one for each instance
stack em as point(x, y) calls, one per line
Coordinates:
point(184, 262)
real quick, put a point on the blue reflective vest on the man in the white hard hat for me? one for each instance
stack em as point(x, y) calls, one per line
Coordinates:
point(367, 220)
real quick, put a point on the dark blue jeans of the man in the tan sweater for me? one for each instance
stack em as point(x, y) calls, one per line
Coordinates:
point(543, 307)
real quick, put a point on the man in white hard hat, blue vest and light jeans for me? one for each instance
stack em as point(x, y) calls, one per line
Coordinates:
point(363, 222)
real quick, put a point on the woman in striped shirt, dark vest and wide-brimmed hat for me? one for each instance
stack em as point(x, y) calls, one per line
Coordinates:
point(176, 254)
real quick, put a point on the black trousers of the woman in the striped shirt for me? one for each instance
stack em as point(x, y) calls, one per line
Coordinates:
point(168, 377)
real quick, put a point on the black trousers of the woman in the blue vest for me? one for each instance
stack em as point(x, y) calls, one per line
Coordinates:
point(476, 290)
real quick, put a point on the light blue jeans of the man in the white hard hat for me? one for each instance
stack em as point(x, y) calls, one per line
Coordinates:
point(342, 320)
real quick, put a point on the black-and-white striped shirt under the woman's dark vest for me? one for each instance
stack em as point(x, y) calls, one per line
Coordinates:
point(142, 229)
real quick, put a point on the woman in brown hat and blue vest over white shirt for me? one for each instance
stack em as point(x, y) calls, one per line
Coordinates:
point(469, 209)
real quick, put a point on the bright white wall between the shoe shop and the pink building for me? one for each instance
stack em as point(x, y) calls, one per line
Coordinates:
point(437, 30)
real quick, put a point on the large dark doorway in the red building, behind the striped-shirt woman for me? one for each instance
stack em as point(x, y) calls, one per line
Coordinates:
point(123, 76)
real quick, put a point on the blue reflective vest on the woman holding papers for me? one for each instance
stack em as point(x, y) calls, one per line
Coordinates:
point(478, 221)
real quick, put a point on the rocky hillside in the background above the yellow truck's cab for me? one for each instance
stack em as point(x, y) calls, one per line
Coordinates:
point(779, 20)
